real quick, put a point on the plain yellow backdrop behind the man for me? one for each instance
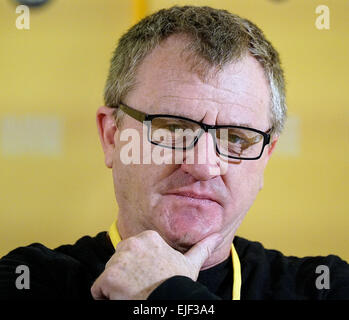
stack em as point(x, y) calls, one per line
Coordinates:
point(58, 68)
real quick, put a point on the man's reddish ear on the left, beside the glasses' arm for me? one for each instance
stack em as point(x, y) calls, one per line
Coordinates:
point(106, 130)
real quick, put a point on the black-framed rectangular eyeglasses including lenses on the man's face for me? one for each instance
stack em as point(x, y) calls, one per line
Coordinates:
point(181, 133)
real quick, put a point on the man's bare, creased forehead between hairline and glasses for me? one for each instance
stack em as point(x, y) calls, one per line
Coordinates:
point(166, 83)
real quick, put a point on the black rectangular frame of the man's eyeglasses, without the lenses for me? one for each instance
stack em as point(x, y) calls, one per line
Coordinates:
point(142, 117)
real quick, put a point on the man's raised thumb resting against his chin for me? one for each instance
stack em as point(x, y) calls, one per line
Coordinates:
point(202, 250)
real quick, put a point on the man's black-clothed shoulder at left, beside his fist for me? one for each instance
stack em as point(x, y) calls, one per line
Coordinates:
point(63, 272)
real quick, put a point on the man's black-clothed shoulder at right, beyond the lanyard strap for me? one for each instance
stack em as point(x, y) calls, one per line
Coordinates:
point(269, 274)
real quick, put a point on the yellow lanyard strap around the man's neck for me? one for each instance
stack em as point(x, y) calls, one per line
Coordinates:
point(115, 239)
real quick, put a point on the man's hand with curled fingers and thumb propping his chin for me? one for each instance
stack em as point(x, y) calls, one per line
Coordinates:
point(141, 263)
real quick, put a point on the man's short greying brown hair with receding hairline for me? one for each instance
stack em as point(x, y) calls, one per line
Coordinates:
point(216, 36)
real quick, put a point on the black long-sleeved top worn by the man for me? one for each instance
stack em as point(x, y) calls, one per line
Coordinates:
point(69, 271)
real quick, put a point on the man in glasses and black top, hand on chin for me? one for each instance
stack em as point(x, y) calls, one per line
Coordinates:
point(201, 93)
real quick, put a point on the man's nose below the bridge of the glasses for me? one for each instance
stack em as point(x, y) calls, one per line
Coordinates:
point(202, 162)
